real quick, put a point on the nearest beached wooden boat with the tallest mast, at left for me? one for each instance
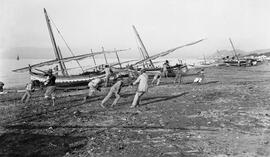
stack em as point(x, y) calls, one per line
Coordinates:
point(65, 79)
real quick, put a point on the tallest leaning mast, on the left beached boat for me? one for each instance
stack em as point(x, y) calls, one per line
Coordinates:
point(57, 53)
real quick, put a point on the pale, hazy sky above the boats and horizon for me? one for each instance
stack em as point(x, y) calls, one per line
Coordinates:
point(162, 24)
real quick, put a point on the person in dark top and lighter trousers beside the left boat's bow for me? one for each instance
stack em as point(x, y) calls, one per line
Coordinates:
point(50, 86)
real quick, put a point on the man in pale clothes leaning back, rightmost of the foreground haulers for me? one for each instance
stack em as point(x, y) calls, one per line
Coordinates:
point(142, 88)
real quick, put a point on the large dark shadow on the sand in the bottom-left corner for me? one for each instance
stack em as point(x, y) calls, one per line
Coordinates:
point(18, 144)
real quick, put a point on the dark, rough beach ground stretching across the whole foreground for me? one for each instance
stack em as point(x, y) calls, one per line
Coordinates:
point(228, 115)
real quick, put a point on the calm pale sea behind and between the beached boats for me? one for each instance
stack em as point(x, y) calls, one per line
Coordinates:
point(19, 79)
